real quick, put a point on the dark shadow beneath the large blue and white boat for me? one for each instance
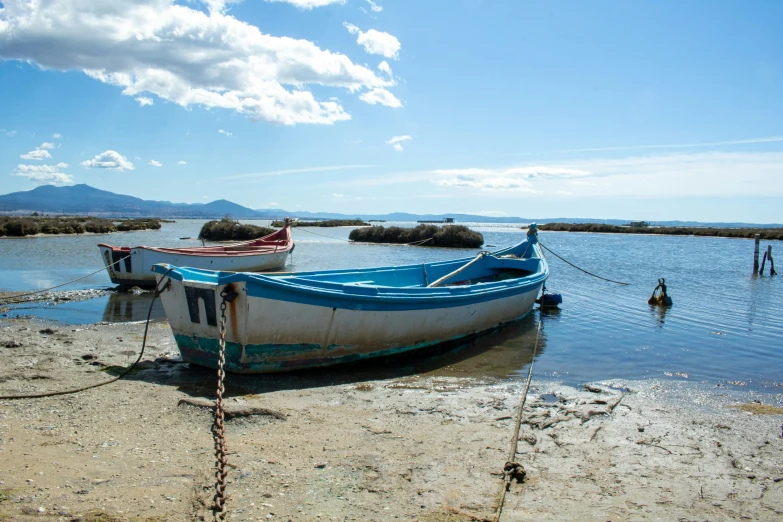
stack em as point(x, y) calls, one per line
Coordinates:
point(498, 355)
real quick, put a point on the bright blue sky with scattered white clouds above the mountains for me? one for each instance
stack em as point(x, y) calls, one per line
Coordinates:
point(663, 110)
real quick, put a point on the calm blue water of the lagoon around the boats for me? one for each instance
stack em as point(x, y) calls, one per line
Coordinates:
point(725, 326)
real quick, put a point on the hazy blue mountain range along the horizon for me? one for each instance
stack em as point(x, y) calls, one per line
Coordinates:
point(84, 199)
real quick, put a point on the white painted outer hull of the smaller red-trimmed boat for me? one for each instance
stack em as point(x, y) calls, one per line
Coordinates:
point(141, 261)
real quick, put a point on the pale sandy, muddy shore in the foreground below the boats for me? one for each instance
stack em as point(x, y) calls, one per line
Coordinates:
point(352, 448)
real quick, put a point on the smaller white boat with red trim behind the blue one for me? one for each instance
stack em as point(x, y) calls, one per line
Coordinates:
point(132, 266)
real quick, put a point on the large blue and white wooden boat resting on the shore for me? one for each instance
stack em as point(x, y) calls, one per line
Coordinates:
point(284, 322)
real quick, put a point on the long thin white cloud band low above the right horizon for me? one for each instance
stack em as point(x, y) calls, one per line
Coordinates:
point(708, 174)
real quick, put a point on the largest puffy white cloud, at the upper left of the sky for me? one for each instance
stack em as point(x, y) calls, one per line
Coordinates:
point(183, 55)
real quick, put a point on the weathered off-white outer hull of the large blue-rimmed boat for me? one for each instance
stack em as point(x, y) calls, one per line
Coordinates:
point(265, 335)
